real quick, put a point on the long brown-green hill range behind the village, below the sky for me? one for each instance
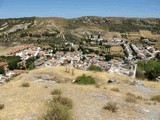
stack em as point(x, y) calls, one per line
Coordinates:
point(46, 30)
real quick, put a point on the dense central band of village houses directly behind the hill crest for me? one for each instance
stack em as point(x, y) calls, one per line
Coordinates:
point(82, 61)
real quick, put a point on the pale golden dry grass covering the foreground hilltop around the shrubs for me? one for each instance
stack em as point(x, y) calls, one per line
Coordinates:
point(19, 105)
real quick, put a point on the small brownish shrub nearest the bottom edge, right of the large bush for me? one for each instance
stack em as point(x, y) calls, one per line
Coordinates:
point(111, 106)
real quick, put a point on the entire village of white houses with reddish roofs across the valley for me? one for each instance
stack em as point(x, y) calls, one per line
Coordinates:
point(82, 61)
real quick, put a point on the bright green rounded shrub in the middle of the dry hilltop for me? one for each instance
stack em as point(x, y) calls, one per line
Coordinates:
point(85, 80)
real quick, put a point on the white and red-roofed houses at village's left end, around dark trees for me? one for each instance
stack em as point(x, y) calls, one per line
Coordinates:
point(24, 53)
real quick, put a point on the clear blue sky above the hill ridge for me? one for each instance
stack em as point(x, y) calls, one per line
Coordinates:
point(78, 8)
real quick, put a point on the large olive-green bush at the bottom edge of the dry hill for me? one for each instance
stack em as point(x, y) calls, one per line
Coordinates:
point(59, 109)
